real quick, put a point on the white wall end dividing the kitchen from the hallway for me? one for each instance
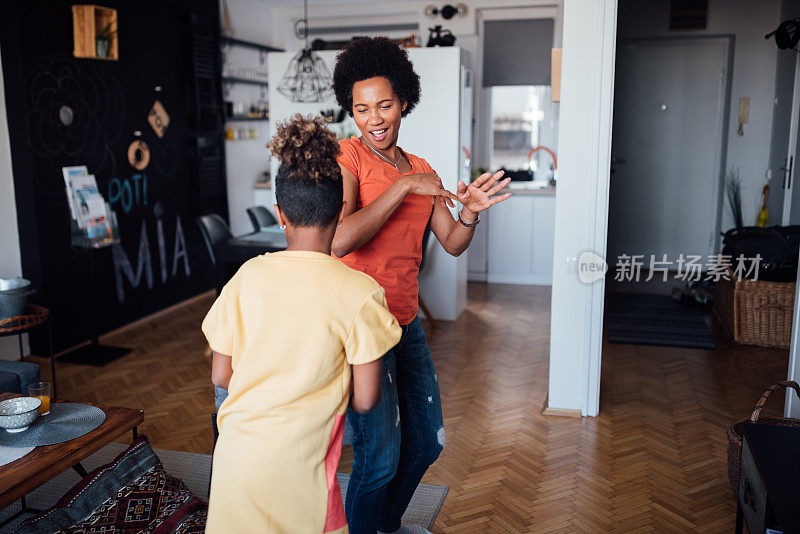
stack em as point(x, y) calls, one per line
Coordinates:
point(584, 143)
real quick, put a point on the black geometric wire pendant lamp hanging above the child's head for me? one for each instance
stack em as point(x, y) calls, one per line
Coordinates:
point(307, 78)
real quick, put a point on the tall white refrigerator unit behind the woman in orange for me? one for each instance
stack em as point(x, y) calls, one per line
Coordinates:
point(438, 130)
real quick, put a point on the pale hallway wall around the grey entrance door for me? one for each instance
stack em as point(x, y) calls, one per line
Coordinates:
point(753, 75)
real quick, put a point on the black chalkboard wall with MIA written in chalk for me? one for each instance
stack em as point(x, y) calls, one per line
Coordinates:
point(162, 259)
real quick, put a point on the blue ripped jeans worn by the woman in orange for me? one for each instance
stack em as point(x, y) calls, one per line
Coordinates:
point(395, 443)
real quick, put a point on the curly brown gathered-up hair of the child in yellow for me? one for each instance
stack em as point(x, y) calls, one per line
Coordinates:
point(308, 186)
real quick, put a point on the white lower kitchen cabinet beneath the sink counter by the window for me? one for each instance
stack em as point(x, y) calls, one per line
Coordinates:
point(515, 245)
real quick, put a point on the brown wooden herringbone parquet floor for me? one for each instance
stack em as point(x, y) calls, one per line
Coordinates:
point(653, 461)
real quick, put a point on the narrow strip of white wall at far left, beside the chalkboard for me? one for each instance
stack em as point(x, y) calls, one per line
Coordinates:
point(10, 262)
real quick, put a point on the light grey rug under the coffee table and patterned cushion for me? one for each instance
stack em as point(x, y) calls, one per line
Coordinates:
point(194, 469)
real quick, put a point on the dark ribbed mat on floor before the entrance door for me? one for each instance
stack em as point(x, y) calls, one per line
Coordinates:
point(648, 319)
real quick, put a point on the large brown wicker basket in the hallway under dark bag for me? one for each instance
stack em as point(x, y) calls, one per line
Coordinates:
point(755, 312)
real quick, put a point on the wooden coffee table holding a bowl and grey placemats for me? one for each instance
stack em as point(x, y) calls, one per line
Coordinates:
point(20, 477)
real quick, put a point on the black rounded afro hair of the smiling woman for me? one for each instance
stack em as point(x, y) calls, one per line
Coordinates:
point(368, 57)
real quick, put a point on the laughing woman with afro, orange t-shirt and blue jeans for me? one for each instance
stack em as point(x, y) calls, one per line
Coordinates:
point(390, 198)
